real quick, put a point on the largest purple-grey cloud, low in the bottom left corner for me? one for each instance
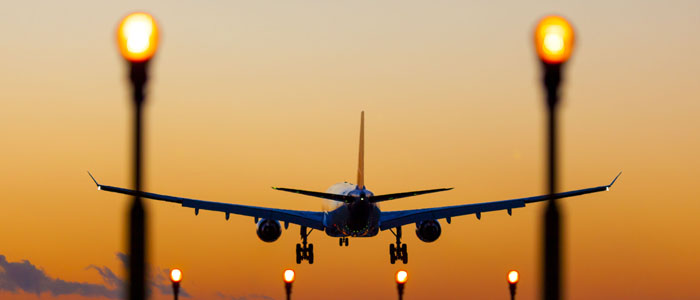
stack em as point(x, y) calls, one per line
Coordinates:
point(24, 276)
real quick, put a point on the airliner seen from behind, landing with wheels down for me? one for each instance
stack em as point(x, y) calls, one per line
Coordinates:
point(355, 212)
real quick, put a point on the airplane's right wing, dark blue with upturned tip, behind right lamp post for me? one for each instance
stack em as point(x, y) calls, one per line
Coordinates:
point(392, 219)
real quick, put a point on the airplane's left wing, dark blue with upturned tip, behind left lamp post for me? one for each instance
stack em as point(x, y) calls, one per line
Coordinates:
point(304, 218)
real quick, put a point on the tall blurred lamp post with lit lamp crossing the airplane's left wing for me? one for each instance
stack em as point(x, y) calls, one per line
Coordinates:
point(137, 38)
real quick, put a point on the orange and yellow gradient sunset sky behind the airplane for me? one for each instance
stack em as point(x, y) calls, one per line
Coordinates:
point(246, 95)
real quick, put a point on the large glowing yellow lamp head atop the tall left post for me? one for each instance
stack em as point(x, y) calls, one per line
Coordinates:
point(137, 37)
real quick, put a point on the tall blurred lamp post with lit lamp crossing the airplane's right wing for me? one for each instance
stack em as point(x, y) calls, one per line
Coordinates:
point(554, 41)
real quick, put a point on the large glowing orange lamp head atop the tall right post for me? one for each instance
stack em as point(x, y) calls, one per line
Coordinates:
point(554, 39)
